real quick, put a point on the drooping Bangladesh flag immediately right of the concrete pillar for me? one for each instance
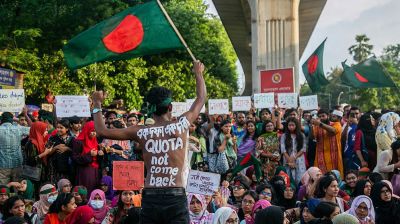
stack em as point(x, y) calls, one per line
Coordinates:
point(313, 69)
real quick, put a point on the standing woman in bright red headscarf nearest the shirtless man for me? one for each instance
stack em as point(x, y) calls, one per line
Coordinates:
point(86, 154)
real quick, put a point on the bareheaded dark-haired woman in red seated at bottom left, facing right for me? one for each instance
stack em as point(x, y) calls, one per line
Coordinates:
point(63, 206)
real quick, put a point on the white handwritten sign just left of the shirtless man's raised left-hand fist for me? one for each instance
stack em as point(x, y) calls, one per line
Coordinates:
point(69, 106)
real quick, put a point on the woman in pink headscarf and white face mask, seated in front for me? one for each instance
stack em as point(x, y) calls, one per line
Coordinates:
point(98, 203)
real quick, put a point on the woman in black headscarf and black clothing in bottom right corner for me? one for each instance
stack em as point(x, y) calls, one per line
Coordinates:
point(387, 208)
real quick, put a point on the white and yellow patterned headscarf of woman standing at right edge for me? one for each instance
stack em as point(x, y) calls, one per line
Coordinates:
point(385, 132)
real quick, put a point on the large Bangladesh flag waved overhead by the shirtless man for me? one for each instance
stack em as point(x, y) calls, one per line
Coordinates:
point(134, 32)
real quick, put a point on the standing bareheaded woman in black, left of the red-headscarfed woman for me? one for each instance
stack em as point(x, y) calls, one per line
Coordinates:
point(60, 161)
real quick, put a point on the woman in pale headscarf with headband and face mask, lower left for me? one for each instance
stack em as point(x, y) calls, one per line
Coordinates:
point(47, 194)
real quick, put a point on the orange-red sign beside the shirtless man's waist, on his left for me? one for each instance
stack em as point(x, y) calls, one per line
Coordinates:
point(128, 175)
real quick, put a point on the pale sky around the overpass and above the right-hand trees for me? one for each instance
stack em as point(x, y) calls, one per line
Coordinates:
point(342, 20)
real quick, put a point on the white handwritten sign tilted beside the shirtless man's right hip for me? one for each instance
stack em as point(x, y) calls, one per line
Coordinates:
point(204, 183)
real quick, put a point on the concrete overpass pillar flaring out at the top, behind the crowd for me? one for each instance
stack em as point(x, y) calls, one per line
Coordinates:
point(268, 34)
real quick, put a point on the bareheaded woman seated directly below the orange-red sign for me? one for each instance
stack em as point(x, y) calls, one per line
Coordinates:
point(118, 214)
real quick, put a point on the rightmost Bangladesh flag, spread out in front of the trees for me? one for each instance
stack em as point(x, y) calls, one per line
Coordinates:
point(366, 74)
